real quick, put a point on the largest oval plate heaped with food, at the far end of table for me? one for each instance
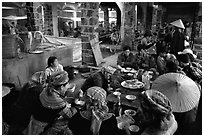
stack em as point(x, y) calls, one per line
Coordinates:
point(132, 84)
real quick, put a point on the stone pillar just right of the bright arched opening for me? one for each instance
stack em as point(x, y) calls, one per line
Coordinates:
point(128, 23)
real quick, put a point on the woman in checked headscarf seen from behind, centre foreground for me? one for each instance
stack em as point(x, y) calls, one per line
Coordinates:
point(95, 119)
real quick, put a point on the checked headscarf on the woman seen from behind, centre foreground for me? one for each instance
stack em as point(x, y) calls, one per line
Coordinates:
point(97, 93)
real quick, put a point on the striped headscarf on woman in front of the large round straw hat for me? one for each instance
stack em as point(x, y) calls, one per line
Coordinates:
point(157, 102)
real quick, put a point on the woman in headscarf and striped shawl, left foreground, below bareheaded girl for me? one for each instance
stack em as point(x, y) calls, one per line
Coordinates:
point(51, 107)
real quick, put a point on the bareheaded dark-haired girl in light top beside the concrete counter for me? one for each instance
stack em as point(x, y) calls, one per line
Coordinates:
point(53, 67)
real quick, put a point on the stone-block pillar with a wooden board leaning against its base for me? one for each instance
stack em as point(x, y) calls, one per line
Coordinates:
point(89, 22)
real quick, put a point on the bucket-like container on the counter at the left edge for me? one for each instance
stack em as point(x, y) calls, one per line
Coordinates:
point(9, 46)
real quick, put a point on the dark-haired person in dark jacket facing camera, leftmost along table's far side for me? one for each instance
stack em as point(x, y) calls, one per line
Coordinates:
point(126, 58)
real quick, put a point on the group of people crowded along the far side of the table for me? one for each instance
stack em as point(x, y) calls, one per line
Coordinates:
point(173, 54)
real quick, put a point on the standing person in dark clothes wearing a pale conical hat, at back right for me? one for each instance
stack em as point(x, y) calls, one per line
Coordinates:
point(178, 39)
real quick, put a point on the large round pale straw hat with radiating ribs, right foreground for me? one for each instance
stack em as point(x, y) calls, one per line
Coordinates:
point(183, 92)
